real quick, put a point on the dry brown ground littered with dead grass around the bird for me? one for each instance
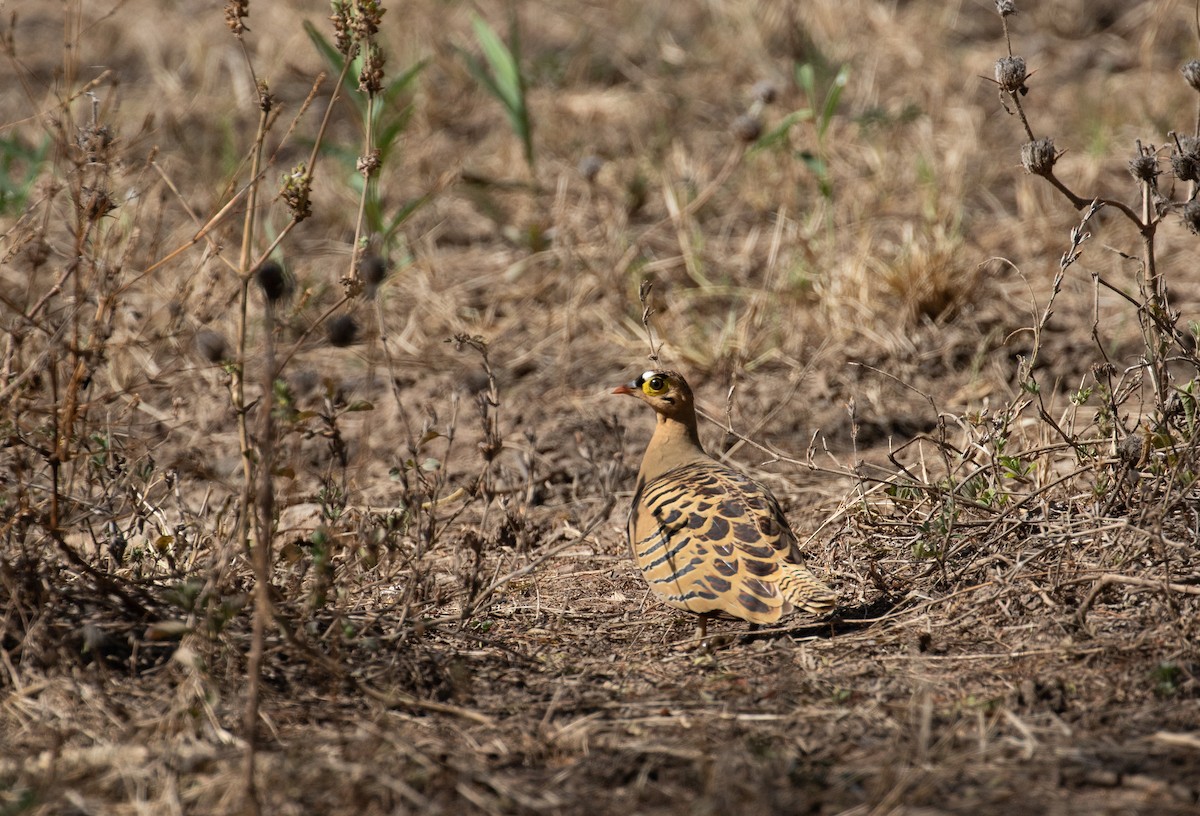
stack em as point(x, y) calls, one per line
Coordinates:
point(459, 628)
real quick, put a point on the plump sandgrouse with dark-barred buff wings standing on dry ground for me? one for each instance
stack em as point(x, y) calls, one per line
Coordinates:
point(707, 538)
